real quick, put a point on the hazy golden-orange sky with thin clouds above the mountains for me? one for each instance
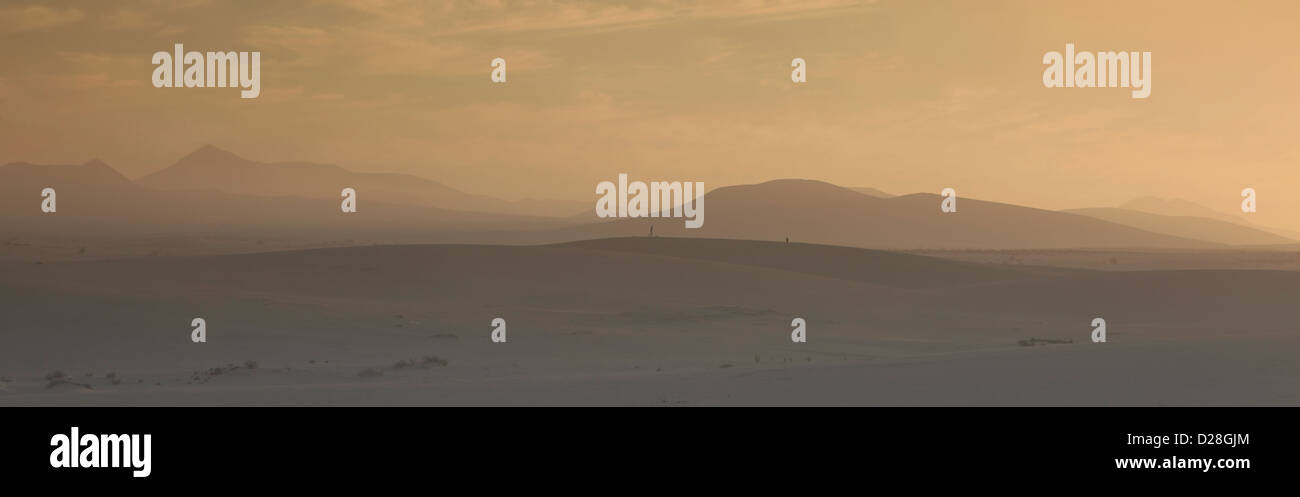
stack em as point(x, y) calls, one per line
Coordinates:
point(902, 96)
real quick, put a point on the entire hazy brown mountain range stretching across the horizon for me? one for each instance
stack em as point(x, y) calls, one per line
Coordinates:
point(213, 189)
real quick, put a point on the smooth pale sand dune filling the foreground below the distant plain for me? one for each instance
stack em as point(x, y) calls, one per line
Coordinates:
point(643, 321)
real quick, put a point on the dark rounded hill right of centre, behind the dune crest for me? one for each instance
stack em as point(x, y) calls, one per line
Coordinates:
point(818, 213)
